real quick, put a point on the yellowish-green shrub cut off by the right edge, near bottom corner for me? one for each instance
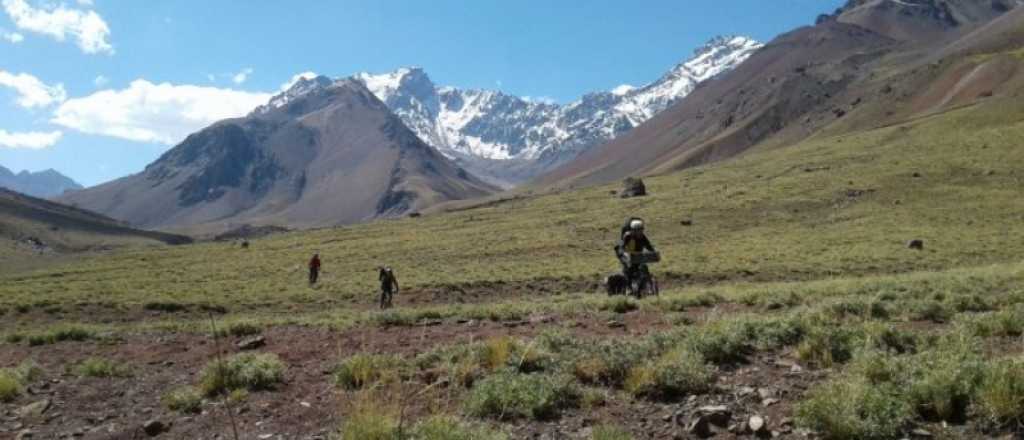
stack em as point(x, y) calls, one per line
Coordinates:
point(1001, 395)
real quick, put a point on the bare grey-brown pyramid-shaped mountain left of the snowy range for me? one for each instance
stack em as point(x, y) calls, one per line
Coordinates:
point(321, 154)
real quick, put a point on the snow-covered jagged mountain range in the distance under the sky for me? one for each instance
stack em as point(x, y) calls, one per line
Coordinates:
point(508, 140)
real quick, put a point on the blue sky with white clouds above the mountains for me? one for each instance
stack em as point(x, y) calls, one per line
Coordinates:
point(98, 90)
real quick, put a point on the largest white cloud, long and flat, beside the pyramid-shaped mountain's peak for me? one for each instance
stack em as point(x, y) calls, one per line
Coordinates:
point(155, 113)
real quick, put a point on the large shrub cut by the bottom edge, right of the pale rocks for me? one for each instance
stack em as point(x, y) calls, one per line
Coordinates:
point(851, 409)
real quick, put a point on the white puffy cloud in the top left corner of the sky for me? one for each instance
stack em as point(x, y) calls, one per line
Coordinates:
point(87, 27)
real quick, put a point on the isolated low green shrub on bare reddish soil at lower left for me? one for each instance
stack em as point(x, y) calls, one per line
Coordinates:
point(246, 371)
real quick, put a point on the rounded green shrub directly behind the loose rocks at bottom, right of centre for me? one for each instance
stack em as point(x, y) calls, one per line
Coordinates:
point(679, 373)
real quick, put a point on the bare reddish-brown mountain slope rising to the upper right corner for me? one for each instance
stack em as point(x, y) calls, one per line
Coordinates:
point(873, 64)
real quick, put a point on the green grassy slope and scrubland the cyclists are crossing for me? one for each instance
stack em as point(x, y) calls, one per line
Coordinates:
point(797, 253)
